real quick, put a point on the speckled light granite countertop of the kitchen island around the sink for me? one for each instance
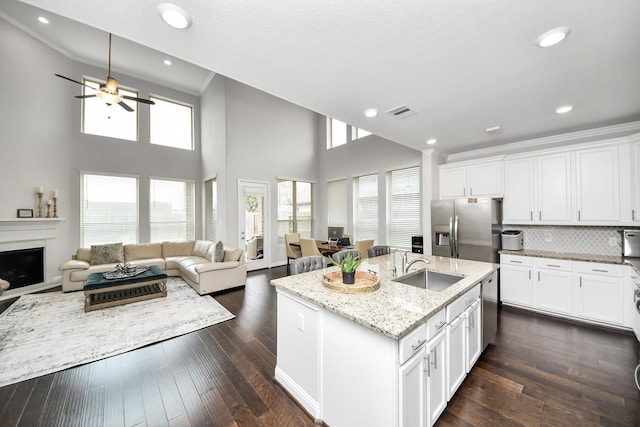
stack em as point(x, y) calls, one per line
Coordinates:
point(395, 309)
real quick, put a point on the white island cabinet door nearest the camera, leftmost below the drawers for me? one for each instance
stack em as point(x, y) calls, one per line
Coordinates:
point(413, 410)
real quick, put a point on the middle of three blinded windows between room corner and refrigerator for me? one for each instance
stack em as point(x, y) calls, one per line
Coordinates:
point(365, 207)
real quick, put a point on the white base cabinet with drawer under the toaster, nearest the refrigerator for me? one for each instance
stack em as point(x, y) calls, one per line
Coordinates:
point(515, 280)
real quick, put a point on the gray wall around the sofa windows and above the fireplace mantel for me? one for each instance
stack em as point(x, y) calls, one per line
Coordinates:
point(42, 143)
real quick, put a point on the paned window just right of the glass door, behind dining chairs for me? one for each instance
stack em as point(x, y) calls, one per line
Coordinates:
point(295, 208)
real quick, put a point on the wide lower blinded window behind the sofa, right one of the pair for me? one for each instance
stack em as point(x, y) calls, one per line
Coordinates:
point(171, 210)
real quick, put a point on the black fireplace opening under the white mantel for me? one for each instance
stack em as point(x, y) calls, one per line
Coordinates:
point(22, 267)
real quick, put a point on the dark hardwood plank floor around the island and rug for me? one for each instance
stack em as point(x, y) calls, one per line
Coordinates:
point(540, 372)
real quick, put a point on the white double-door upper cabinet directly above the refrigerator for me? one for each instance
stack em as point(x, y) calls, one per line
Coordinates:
point(480, 179)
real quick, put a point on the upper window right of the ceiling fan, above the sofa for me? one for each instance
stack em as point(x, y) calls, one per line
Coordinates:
point(171, 124)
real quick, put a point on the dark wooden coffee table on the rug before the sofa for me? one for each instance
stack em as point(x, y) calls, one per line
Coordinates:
point(101, 293)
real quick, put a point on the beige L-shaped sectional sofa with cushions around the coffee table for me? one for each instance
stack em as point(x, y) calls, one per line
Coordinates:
point(194, 261)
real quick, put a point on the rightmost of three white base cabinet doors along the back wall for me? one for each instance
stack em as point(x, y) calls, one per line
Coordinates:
point(601, 298)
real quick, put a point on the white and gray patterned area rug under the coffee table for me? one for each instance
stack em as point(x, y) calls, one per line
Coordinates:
point(49, 332)
